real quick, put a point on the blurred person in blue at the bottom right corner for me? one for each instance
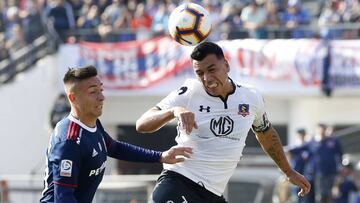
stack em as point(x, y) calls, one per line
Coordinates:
point(344, 184)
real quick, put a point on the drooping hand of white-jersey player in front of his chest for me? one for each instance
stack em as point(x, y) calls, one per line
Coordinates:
point(186, 119)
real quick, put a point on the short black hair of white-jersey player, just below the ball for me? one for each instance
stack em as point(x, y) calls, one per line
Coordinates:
point(206, 48)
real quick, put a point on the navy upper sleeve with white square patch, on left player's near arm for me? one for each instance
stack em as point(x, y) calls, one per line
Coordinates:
point(66, 163)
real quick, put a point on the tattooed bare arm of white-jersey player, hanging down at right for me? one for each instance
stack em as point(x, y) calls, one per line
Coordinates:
point(270, 142)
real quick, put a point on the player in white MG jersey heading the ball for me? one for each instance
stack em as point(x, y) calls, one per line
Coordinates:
point(214, 116)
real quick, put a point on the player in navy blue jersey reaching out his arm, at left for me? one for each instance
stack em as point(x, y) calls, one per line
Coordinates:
point(79, 145)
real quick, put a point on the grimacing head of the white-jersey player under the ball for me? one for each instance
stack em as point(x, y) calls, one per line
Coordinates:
point(211, 68)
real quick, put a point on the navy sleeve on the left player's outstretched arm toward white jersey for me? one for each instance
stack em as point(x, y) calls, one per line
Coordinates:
point(128, 152)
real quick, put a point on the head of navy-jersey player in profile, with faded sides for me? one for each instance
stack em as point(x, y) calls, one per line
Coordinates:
point(84, 91)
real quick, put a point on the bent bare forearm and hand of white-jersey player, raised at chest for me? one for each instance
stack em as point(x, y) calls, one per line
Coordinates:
point(155, 118)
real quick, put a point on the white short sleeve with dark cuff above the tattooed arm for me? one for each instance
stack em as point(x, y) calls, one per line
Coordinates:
point(261, 122)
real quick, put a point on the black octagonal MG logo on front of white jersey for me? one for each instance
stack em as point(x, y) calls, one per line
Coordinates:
point(222, 126)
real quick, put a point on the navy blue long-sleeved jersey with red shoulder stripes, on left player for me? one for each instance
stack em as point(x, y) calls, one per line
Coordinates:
point(76, 160)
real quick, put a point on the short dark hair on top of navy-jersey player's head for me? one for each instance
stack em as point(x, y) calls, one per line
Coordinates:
point(77, 74)
